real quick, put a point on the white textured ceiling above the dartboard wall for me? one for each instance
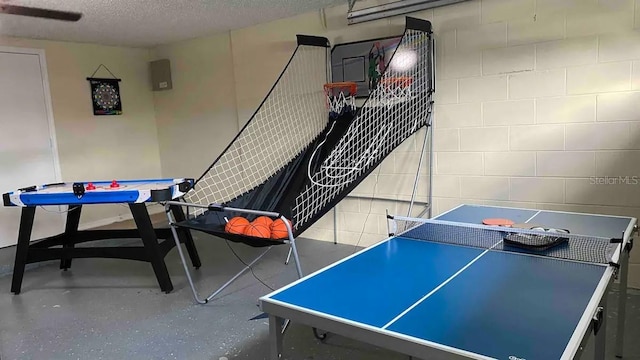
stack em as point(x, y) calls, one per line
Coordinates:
point(146, 23)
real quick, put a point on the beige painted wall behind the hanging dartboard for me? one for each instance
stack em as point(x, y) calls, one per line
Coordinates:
point(100, 147)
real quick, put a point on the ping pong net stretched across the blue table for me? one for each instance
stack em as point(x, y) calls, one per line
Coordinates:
point(542, 242)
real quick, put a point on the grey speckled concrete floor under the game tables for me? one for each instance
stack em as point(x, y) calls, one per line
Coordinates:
point(113, 309)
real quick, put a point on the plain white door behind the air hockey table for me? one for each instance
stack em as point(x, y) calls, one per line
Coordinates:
point(28, 155)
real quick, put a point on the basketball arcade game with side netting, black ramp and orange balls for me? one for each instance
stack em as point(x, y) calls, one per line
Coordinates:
point(315, 163)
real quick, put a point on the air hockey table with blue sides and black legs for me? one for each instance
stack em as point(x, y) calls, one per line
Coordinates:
point(134, 193)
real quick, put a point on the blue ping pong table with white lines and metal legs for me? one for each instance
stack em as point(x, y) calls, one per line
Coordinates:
point(434, 300)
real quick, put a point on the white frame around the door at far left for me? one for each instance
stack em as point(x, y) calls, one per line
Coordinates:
point(47, 100)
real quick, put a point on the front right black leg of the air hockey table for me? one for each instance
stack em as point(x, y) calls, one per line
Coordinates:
point(150, 241)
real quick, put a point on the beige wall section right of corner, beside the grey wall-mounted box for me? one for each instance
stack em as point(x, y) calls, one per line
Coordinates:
point(197, 118)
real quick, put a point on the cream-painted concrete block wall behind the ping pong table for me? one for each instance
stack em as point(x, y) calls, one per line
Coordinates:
point(537, 106)
